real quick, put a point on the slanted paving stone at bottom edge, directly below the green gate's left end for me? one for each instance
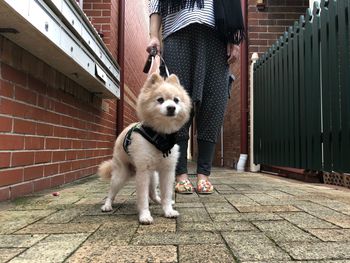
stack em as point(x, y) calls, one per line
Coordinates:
point(253, 246)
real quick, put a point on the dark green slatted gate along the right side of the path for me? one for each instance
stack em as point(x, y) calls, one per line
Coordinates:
point(302, 93)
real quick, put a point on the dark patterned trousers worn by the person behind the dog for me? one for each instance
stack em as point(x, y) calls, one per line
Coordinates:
point(198, 57)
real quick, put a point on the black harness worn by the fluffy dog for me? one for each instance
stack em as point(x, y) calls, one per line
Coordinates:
point(163, 142)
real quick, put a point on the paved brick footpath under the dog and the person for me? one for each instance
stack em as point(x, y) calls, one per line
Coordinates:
point(250, 218)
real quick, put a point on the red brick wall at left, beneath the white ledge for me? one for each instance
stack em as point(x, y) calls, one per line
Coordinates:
point(51, 132)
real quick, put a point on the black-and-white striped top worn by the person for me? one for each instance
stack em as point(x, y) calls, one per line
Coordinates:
point(174, 22)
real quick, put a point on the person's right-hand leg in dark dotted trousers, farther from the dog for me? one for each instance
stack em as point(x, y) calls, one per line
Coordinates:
point(210, 113)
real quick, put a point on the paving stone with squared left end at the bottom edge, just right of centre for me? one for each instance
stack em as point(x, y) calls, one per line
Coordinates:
point(205, 253)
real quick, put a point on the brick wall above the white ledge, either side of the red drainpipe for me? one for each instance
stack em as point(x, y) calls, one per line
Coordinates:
point(104, 16)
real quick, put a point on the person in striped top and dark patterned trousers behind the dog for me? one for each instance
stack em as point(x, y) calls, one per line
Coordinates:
point(200, 41)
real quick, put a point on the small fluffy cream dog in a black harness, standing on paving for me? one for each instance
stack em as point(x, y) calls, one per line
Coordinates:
point(147, 149)
